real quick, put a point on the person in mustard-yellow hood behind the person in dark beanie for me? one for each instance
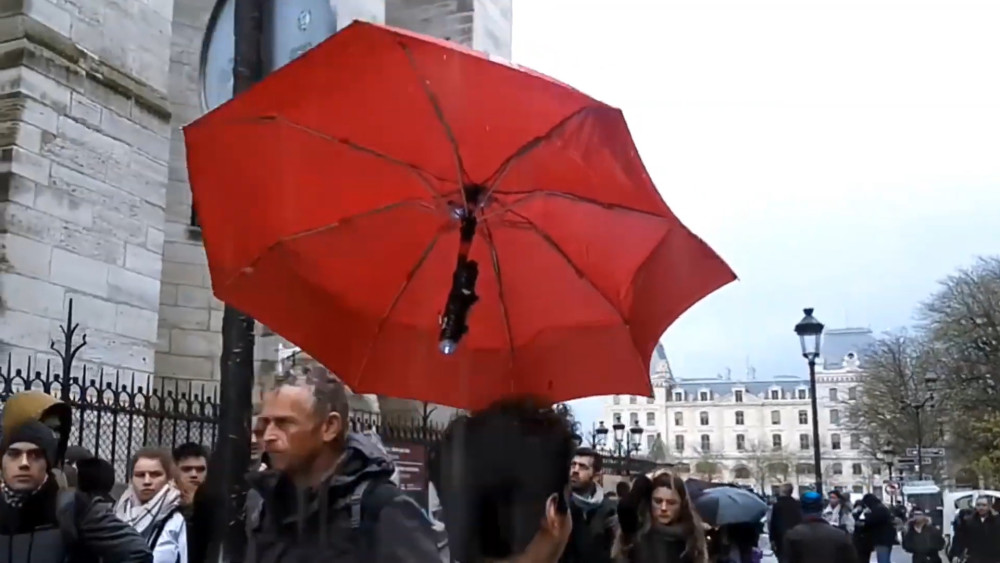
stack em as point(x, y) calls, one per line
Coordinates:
point(57, 415)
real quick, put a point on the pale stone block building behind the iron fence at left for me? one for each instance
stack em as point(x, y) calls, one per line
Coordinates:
point(95, 205)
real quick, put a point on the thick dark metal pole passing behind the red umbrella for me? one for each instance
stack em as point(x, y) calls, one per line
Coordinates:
point(236, 386)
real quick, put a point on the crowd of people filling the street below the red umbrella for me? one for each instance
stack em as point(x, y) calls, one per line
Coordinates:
point(513, 484)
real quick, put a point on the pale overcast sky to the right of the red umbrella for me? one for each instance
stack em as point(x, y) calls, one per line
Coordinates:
point(843, 155)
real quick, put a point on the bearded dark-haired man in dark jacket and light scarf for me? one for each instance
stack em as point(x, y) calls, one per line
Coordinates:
point(595, 517)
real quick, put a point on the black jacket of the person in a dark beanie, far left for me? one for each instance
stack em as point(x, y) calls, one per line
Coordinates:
point(89, 530)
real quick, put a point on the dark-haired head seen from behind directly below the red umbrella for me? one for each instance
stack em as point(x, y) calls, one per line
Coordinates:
point(502, 475)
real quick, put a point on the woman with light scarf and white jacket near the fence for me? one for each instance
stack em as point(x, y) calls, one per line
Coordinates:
point(152, 505)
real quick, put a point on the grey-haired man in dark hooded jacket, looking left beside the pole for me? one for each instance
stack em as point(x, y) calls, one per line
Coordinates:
point(328, 495)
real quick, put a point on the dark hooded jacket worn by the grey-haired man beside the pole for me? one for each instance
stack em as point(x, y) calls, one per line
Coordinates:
point(317, 525)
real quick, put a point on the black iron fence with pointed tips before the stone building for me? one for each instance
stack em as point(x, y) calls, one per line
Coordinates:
point(116, 412)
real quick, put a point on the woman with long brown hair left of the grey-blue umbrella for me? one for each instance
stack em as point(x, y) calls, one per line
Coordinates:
point(658, 523)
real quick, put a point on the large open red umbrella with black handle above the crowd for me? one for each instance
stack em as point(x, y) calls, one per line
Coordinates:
point(337, 196)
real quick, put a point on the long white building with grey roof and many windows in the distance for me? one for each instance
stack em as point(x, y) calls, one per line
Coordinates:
point(758, 431)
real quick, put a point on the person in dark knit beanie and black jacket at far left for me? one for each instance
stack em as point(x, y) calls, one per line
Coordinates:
point(39, 523)
